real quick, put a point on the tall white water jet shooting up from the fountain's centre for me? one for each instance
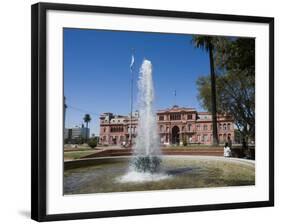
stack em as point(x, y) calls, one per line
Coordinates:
point(146, 149)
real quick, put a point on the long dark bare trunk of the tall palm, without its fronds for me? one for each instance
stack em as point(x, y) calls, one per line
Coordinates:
point(213, 94)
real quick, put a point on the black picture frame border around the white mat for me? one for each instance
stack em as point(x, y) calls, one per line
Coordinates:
point(39, 122)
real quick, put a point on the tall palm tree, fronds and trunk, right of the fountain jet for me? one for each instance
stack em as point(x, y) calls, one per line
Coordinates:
point(206, 43)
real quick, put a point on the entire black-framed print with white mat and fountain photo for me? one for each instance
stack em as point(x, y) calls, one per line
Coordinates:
point(140, 111)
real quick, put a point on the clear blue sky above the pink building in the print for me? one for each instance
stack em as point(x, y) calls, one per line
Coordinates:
point(97, 71)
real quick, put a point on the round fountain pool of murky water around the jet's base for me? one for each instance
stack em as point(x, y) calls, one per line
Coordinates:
point(101, 175)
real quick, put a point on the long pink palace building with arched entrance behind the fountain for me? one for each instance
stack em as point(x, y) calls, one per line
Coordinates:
point(176, 125)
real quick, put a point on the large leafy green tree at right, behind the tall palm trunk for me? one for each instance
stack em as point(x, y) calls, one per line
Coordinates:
point(235, 84)
